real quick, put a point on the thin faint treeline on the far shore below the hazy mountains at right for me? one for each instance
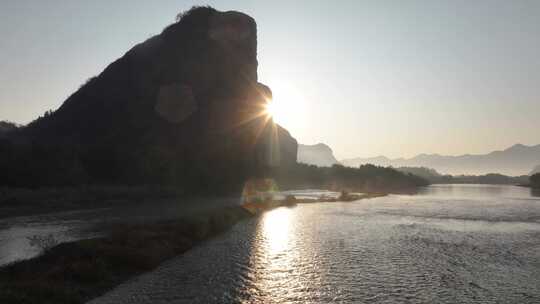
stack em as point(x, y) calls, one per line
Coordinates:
point(435, 177)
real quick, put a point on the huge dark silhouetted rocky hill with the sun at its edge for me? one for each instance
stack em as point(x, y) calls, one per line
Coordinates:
point(183, 107)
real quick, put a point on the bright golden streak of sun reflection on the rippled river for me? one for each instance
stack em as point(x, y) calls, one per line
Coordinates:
point(282, 265)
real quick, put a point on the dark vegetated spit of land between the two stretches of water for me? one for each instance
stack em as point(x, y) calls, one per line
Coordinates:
point(79, 271)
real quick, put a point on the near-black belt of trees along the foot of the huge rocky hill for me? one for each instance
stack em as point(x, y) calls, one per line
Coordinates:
point(29, 164)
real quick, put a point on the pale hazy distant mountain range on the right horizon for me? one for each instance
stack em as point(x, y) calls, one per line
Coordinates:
point(514, 161)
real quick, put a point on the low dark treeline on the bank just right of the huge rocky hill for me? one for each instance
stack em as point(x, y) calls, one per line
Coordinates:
point(366, 178)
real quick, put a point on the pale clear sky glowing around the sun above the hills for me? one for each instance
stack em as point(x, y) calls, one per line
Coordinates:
point(394, 78)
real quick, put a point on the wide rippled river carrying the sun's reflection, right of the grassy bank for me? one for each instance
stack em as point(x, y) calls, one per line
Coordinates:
point(449, 244)
